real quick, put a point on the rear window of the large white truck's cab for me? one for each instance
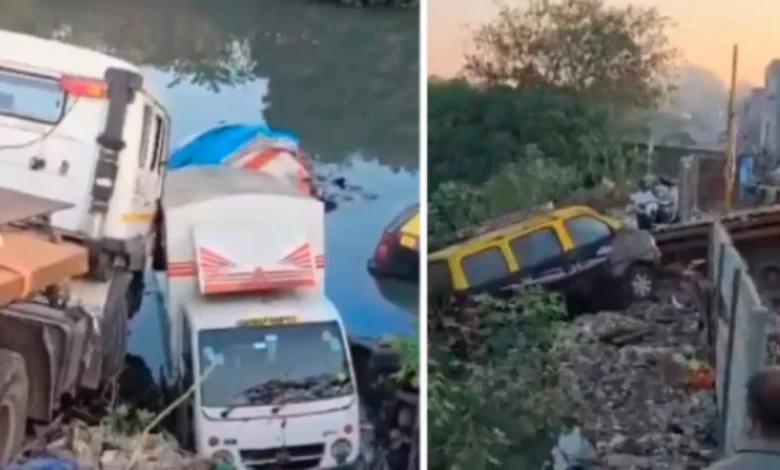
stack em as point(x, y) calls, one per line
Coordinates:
point(31, 97)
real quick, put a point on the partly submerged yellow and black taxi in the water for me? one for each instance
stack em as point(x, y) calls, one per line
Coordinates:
point(397, 254)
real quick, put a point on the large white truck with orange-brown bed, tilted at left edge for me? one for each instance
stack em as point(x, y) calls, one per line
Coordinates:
point(83, 150)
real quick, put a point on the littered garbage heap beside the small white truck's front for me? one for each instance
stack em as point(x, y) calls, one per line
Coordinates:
point(77, 446)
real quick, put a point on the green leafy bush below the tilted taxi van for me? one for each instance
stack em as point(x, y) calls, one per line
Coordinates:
point(494, 388)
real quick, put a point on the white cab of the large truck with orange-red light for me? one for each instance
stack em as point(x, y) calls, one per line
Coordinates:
point(90, 130)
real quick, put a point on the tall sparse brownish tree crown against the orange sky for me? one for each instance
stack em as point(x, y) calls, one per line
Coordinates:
point(620, 55)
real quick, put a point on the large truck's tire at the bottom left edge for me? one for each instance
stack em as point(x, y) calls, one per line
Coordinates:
point(14, 392)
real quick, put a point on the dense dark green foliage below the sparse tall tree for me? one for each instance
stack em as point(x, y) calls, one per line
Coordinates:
point(473, 132)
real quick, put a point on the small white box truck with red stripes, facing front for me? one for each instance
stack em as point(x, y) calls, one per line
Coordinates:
point(249, 325)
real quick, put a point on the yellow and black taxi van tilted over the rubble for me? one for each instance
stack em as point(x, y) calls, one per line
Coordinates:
point(590, 258)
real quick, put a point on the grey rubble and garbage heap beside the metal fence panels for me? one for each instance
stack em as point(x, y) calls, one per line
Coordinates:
point(645, 401)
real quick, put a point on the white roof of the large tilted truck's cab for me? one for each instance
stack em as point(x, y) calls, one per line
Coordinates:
point(34, 54)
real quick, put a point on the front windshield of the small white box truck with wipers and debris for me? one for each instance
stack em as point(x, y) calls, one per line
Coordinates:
point(274, 365)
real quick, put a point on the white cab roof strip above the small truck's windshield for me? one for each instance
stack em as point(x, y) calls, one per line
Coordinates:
point(227, 311)
